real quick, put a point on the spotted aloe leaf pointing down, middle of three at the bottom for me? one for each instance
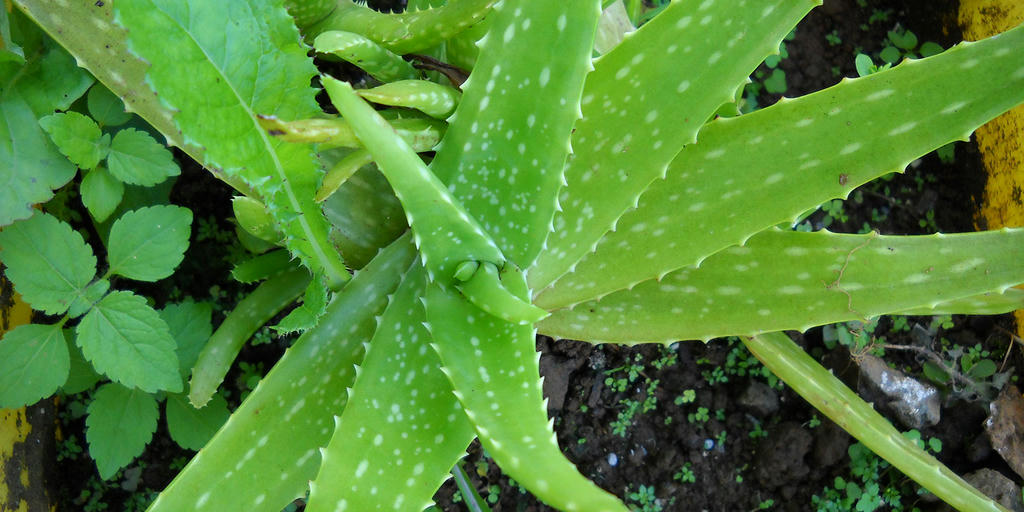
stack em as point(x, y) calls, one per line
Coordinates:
point(417, 421)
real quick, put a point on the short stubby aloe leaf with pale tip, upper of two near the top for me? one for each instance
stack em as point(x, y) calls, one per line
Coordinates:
point(368, 56)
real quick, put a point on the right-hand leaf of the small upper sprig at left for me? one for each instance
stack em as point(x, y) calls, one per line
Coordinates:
point(138, 159)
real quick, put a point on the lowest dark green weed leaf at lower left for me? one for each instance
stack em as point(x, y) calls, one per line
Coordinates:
point(120, 424)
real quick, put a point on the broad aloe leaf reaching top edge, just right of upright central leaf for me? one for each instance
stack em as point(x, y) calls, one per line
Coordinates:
point(636, 116)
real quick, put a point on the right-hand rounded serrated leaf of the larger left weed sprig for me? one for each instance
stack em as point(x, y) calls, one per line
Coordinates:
point(148, 244)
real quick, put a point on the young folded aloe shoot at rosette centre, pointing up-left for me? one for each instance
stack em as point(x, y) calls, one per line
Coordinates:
point(455, 249)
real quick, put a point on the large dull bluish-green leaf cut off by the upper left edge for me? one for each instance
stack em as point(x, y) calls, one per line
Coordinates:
point(31, 167)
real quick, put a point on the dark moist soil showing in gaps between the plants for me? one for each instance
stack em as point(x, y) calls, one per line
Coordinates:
point(759, 443)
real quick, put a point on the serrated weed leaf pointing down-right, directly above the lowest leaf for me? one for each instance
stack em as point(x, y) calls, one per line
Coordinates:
point(127, 340)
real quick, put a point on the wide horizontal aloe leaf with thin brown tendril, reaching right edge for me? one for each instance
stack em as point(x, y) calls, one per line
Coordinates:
point(791, 280)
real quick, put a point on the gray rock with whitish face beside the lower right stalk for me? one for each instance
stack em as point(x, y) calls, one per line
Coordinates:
point(915, 404)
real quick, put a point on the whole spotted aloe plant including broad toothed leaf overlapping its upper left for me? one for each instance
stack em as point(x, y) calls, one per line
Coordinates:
point(599, 199)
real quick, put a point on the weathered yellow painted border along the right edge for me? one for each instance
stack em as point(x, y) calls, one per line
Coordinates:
point(1002, 141)
